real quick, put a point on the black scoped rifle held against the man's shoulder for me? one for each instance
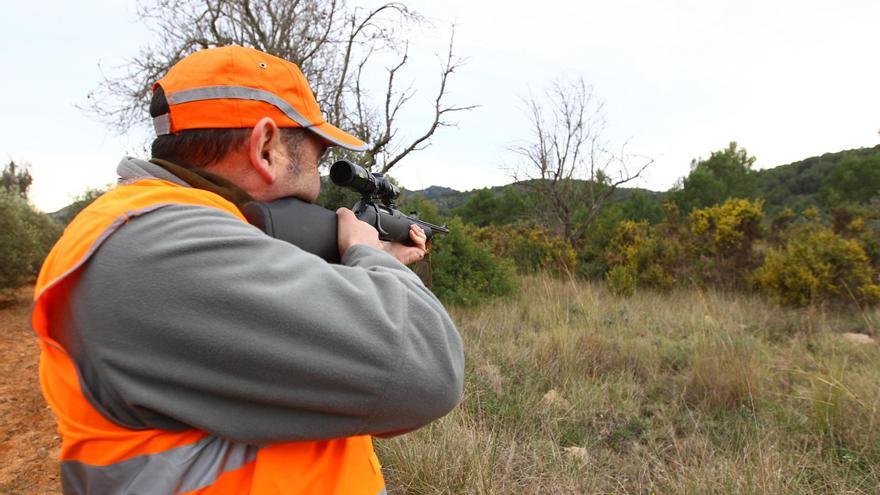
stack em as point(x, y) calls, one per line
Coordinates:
point(313, 228)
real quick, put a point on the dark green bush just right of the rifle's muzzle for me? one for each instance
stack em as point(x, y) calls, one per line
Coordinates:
point(465, 272)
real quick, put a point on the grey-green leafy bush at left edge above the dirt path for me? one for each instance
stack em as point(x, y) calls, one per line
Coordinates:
point(27, 237)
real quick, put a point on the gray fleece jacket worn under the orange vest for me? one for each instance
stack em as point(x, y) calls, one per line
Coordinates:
point(187, 317)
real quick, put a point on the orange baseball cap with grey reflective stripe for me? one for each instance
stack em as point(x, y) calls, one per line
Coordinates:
point(233, 87)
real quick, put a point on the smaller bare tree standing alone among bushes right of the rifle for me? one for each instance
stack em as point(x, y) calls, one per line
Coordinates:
point(567, 160)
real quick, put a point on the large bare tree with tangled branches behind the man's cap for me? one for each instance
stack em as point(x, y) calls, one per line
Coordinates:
point(333, 45)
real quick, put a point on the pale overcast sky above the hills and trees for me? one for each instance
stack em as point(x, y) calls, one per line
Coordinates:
point(786, 79)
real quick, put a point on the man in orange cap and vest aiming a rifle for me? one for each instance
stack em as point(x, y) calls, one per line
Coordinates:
point(185, 351)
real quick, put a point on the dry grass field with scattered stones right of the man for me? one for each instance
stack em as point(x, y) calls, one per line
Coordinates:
point(573, 390)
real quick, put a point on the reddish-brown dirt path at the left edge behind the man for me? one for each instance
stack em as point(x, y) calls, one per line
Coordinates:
point(29, 444)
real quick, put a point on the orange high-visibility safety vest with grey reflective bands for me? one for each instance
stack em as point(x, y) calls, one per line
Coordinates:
point(100, 456)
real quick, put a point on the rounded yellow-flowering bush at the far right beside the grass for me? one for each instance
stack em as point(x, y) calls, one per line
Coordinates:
point(817, 266)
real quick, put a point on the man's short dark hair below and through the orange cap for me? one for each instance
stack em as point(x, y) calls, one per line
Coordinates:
point(200, 148)
